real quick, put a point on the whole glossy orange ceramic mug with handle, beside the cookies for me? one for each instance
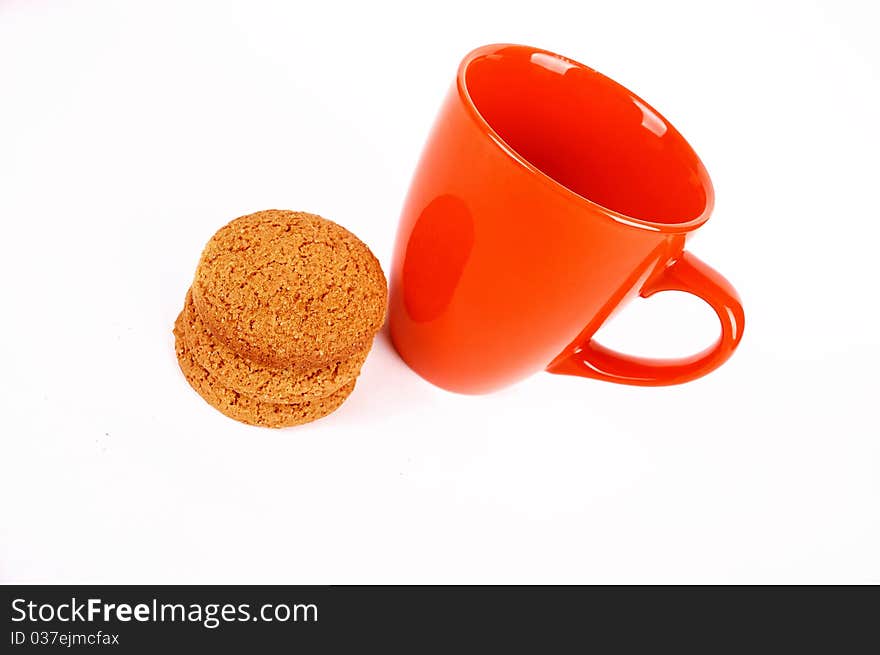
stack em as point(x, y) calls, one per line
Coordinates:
point(546, 197)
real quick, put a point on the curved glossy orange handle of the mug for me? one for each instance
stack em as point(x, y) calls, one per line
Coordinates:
point(687, 273)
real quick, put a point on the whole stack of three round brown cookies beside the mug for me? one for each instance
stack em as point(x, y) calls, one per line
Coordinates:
point(280, 318)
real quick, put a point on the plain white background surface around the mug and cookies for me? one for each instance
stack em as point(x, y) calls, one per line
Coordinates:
point(130, 132)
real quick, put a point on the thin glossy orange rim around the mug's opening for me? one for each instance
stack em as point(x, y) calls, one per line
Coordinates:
point(678, 227)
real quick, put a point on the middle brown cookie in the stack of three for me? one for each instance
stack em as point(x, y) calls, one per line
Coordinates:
point(274, 385)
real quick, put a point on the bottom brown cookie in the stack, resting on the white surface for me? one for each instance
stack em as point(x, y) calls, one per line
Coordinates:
point(242, 407)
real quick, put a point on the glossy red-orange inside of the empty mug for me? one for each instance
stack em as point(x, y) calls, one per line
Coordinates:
point(589, 134)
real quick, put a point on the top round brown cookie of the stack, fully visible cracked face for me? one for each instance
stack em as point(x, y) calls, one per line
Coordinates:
point(290, 289)
